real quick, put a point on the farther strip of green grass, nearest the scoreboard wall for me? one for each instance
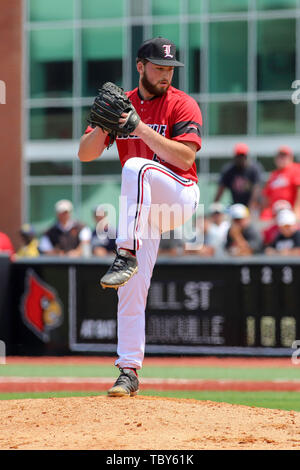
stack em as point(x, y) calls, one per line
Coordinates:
point(208, 373)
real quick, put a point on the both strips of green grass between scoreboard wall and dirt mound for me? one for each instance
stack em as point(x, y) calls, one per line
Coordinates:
point(266, 399)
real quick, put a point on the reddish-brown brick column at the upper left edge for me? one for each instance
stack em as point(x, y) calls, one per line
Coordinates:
point(11, 117)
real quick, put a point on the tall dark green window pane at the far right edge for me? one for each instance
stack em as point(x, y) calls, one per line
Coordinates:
point(276, 54)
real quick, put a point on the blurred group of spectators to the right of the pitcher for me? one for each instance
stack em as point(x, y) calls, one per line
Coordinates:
point(263, 217)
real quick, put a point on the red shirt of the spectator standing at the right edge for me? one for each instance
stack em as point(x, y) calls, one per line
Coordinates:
point(282, 184)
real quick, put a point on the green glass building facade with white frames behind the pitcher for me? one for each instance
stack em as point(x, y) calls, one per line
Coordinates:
point(242, 59)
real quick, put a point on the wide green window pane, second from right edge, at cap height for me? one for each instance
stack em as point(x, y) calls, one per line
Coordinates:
point(228, 57)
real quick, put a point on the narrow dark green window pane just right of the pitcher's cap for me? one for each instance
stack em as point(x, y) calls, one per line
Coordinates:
point(194, 32)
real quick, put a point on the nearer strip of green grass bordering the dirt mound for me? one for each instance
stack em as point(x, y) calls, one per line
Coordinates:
point(274, 400)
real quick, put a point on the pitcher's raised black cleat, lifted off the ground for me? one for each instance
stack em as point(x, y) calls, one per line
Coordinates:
point(122, 269)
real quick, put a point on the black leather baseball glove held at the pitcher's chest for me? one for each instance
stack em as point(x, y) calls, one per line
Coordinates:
point(107, 109)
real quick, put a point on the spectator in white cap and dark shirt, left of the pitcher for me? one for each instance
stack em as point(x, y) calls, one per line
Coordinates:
point(66, 237)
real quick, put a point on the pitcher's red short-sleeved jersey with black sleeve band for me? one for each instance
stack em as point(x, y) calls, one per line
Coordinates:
point(175, 115)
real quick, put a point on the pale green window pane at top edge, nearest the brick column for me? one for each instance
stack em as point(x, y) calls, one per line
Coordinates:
point(43, 10)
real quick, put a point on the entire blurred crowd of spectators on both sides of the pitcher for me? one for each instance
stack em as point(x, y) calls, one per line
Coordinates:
point(262, 218)
